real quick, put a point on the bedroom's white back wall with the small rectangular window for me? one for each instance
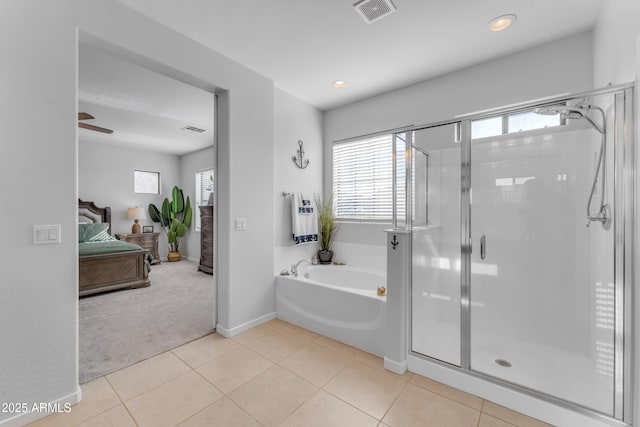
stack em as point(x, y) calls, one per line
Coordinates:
point(105, 176)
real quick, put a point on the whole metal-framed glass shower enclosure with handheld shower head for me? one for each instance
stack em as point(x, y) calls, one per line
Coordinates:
point(521, 223)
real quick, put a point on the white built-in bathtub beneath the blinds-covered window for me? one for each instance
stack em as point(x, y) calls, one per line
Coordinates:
point(339, 302)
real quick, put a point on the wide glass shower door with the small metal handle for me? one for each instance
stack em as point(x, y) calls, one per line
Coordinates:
point(542, 285)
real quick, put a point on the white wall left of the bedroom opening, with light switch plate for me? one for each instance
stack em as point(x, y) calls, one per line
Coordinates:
point(38, 307)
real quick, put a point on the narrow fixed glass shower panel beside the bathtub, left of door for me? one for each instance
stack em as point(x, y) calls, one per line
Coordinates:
point(436, 246)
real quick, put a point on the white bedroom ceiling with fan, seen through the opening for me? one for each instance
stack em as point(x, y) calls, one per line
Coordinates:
point(146, 110)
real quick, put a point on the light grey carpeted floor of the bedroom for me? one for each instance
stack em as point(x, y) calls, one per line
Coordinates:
point(120, 328)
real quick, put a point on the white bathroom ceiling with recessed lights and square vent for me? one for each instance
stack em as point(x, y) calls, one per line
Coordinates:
point(304, 45)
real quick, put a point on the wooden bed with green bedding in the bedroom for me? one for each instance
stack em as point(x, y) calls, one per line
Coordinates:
point(107, 264)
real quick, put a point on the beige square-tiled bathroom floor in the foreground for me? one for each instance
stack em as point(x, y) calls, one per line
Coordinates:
point(276, 374)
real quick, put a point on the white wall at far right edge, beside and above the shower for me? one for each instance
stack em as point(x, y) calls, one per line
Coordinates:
point(617, 60)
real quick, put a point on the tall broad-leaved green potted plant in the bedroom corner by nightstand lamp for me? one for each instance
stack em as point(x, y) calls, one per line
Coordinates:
point(175, 218)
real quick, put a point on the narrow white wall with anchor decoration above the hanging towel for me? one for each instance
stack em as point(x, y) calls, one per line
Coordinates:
point(294, 120)
